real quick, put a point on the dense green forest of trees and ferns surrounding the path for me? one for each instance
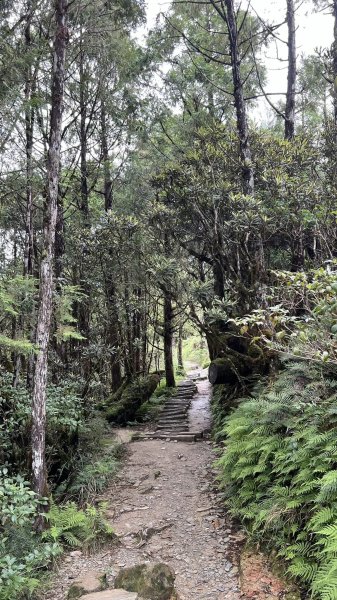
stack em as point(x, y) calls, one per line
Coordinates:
point(145, 209)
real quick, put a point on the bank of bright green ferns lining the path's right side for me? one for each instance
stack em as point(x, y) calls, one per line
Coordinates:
point(279, 472)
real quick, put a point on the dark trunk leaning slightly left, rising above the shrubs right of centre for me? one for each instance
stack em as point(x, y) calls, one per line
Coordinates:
point(239, 101)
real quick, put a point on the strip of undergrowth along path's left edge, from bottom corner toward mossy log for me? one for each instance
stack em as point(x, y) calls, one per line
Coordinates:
point(71, 520)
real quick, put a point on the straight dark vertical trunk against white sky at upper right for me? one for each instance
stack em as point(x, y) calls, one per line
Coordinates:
point(289, 123)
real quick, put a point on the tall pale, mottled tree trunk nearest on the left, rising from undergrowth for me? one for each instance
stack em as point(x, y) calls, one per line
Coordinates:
point(39, 472)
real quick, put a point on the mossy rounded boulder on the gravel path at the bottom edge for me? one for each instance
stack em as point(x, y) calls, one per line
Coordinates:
point(150, 581)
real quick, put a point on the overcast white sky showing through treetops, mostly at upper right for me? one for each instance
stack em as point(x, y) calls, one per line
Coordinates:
point(315, 30)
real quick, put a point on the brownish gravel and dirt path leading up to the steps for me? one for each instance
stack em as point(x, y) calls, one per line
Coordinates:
point(164, 508)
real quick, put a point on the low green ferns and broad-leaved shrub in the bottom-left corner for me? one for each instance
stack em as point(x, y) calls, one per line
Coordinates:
point(26, 554)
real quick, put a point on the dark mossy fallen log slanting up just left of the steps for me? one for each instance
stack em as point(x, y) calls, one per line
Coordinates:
point(124, 408)
